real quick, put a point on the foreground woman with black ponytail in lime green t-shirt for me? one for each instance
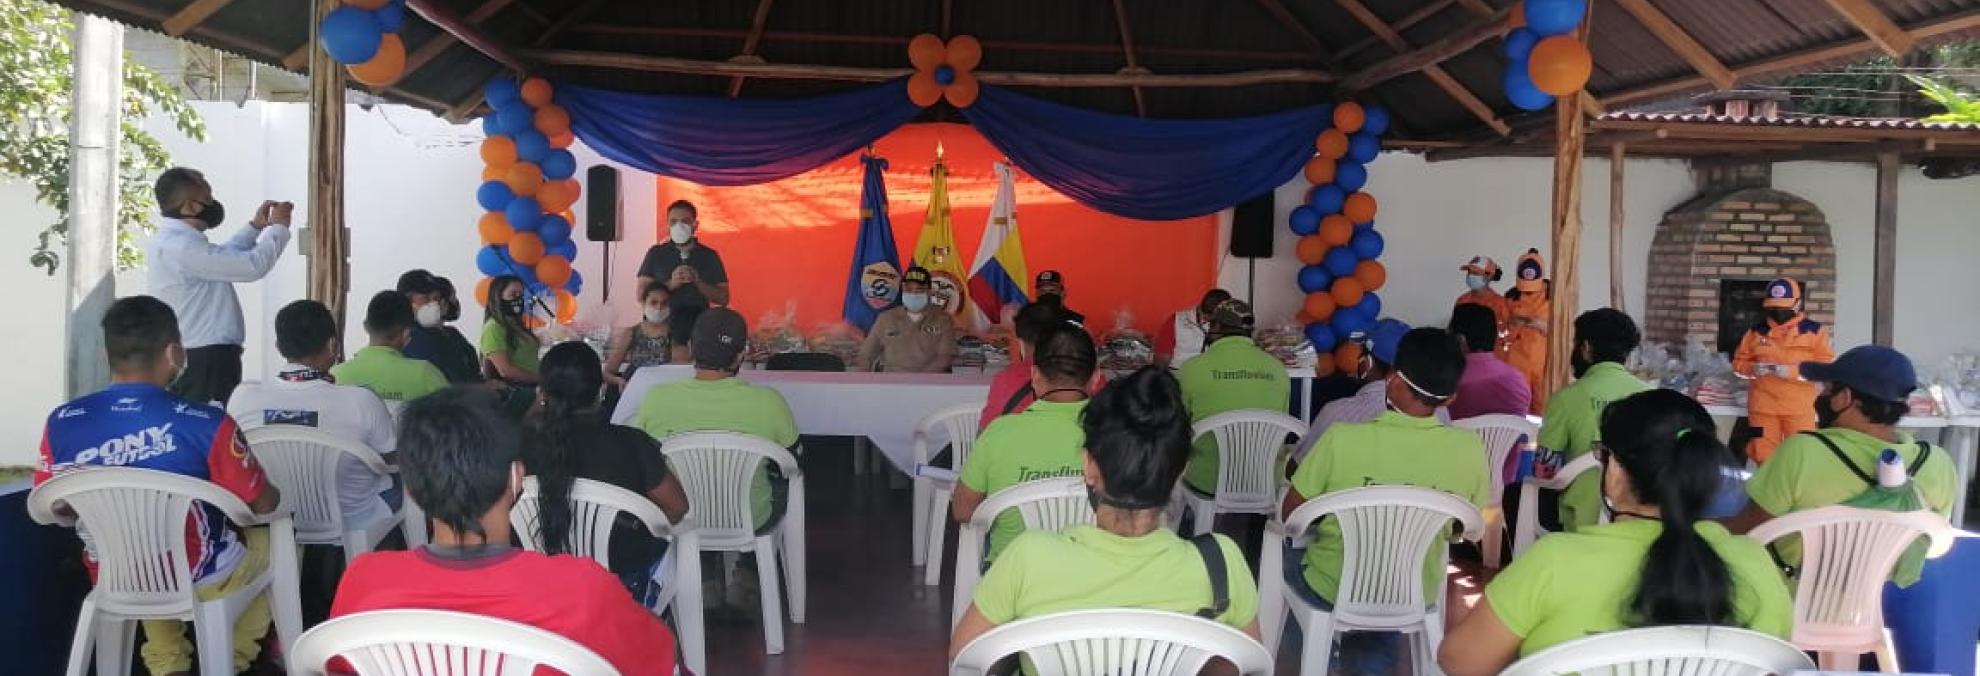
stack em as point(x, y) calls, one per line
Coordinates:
point(1658, 564)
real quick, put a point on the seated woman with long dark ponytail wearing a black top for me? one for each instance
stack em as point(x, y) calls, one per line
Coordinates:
point(569, 441)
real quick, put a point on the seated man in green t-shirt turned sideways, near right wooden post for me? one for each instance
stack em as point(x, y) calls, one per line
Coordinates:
point(1603, 342)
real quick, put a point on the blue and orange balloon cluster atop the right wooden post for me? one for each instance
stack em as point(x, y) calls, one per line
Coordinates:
point(1545, 58)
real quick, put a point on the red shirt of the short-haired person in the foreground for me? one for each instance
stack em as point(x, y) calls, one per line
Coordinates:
point(567, 596)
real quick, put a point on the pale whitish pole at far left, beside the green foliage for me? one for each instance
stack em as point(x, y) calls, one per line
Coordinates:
point(92, 259)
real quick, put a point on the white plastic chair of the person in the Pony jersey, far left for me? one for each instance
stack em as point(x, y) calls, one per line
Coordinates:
point(138, 526)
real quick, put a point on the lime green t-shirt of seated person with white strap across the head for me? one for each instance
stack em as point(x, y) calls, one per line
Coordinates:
point(1389, 451)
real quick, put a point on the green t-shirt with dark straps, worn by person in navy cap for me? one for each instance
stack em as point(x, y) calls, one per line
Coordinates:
point(1805, 475)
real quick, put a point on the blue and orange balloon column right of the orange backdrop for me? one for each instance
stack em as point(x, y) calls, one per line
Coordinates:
point(1337, 241)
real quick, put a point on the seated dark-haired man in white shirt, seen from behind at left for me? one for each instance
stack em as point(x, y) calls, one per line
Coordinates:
point(306, 395)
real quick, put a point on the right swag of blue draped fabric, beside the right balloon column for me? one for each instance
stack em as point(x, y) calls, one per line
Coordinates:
point(1153, 169)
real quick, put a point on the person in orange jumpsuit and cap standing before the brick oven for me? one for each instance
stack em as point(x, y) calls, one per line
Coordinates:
point(1771, 356)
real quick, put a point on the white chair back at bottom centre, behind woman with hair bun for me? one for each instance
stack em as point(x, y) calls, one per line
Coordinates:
point(1116, 643)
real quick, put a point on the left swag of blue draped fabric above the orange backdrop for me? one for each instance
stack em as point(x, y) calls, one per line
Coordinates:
point(722, 142)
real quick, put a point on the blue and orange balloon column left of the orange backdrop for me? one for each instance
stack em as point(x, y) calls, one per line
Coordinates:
point(528, 191)
